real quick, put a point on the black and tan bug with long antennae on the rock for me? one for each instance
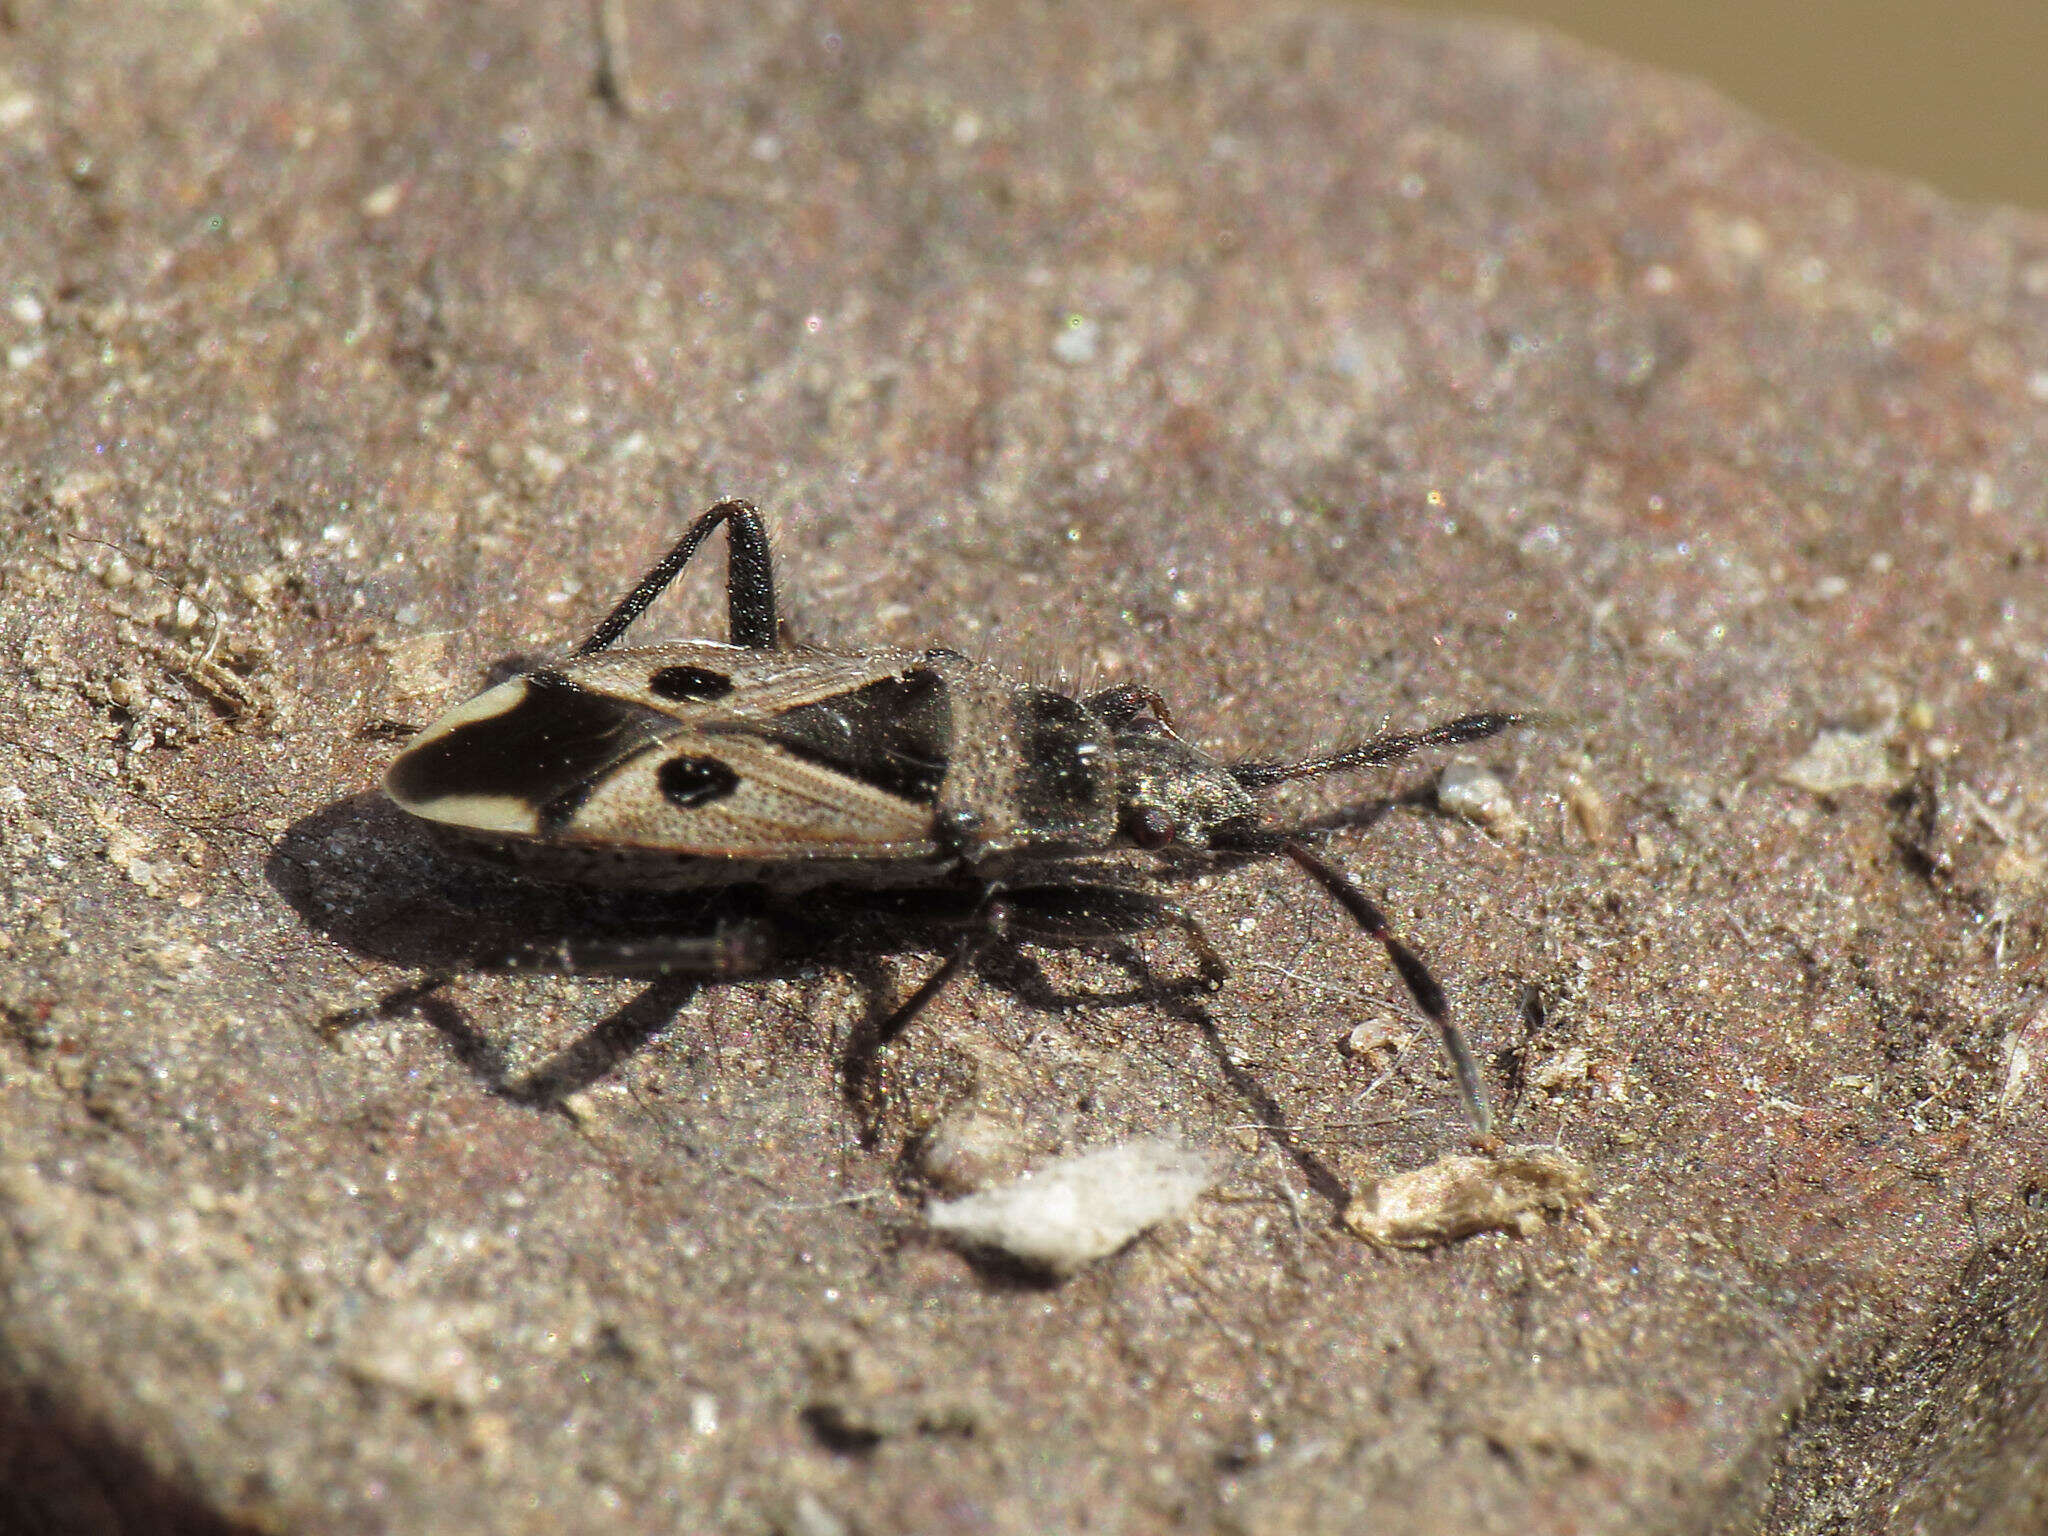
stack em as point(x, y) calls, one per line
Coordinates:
point(812, 777)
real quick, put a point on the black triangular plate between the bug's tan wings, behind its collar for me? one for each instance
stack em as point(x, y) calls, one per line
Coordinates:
point(892, 734)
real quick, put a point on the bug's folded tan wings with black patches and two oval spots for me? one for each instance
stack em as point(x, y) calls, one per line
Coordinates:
point(695, 749)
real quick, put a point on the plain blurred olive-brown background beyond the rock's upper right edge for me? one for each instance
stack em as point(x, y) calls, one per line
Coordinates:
point(1953, 93)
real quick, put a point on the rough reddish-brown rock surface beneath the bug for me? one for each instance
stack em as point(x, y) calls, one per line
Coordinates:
point(1312, 366)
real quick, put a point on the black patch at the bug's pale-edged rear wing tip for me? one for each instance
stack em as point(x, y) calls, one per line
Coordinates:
point(546, 751)
